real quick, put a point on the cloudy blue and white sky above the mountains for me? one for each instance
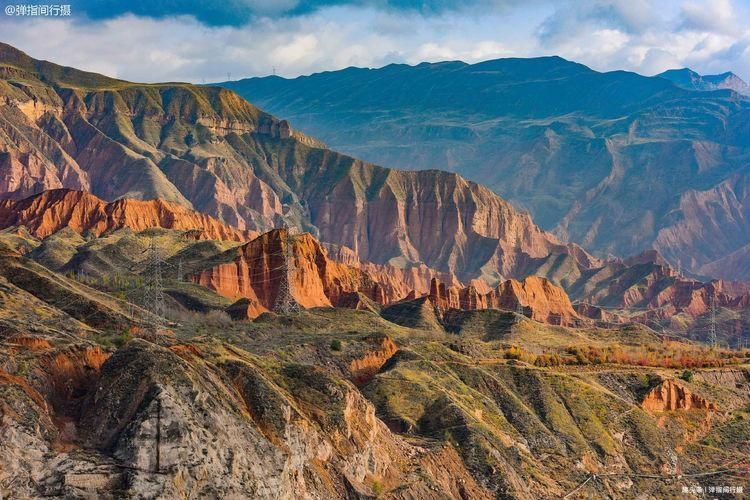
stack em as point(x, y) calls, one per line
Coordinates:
point(215, 40)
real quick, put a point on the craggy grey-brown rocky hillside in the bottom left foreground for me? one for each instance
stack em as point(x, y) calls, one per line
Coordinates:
point(201, 424)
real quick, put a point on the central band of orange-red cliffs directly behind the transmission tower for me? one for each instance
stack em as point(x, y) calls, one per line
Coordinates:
point(254, 272)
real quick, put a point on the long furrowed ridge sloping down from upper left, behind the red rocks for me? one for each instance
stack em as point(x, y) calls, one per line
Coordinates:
point(210, 150)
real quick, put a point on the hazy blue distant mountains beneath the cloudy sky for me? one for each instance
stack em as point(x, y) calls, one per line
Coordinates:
point(616, 162)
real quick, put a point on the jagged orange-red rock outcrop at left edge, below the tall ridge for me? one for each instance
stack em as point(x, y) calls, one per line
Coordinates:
point(50, 211)
